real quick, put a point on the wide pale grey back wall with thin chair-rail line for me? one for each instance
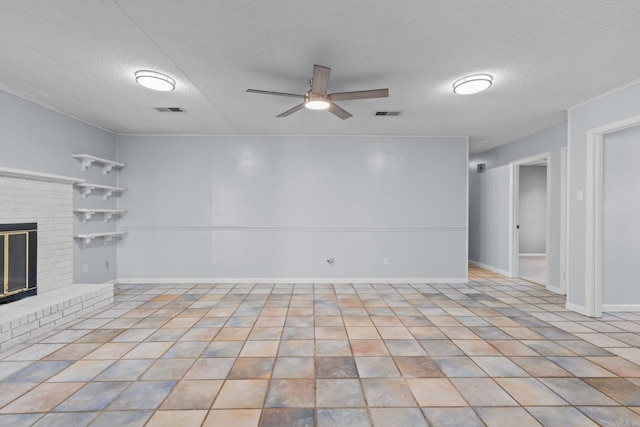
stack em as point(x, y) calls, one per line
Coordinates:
point(278, 207)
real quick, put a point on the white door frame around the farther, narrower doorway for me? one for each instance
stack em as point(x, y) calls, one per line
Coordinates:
point(514, 201)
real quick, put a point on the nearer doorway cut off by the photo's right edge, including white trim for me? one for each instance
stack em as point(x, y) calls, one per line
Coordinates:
point(611, 224)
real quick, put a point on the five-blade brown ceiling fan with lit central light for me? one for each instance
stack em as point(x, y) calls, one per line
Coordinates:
point(317, 97)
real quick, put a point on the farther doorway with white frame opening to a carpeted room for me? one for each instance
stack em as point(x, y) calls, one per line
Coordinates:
point(530, 218)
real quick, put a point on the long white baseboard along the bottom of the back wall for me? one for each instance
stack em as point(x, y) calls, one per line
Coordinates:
point(394, 280)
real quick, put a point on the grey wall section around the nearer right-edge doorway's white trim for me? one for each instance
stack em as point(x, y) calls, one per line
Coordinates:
point(613, 107)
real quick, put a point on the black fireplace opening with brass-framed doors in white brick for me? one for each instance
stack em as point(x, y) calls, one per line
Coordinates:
point(18, 261)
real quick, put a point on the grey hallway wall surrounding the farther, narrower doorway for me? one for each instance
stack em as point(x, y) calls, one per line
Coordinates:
point(489, 200)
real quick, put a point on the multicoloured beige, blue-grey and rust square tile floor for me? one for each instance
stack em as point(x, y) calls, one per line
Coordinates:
point(494, 352)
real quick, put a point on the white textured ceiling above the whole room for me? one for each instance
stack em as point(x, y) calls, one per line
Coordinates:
point(78, 57)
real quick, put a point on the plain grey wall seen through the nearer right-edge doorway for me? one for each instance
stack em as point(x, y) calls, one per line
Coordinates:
point(621, 218)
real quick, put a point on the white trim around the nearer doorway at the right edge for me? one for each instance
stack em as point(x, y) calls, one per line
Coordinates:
point(593, 211)
